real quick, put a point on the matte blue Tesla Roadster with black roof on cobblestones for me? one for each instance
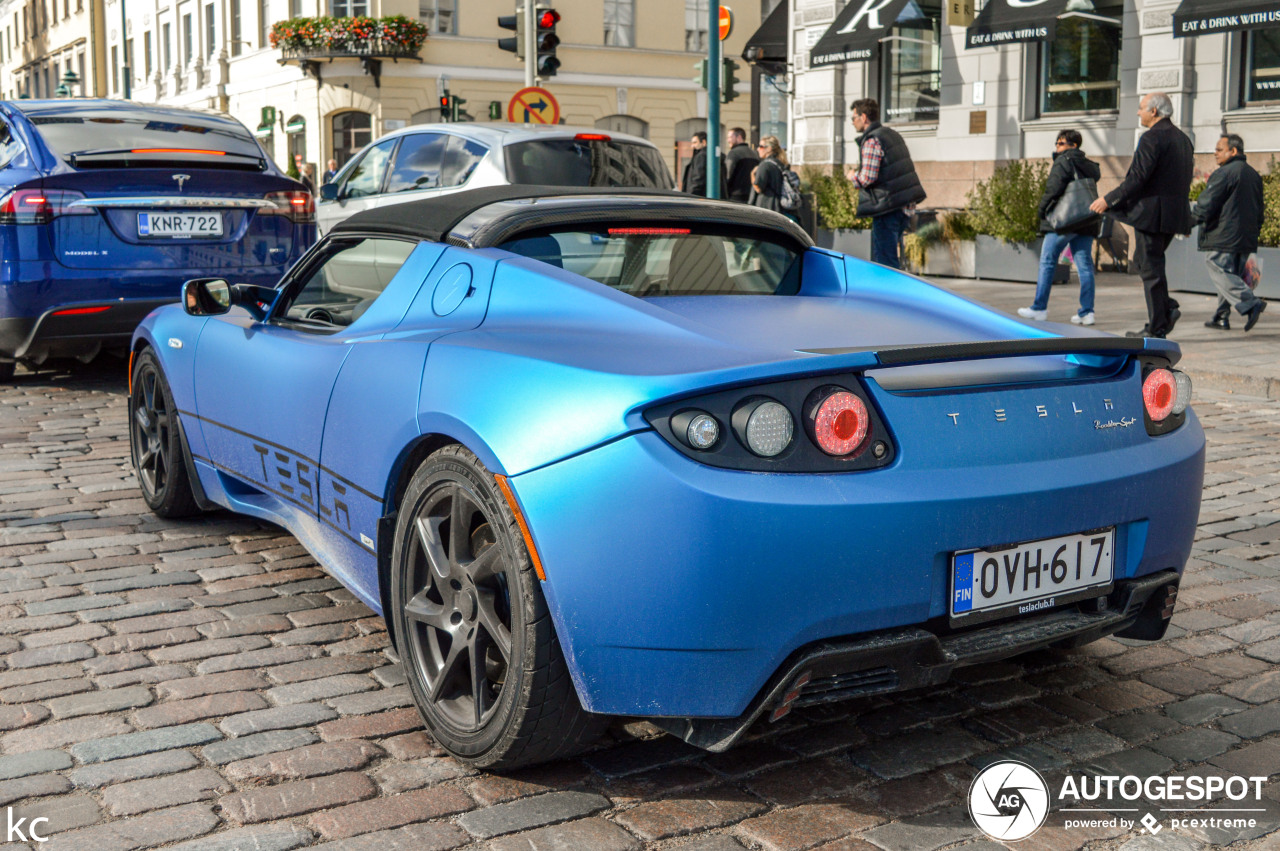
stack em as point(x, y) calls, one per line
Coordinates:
point(636, 454)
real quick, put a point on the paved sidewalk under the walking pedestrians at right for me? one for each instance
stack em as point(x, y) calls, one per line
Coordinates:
point(1232, 362)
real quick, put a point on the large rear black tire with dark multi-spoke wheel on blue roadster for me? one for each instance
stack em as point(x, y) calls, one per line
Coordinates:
point(473, 628)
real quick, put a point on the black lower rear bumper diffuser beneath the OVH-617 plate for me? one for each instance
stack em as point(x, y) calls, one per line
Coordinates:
point(912, 658)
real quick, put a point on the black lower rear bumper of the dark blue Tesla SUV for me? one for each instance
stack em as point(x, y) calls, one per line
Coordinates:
point(58, 333)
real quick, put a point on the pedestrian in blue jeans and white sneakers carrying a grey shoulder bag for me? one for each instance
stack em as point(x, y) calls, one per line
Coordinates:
point(1069, 164)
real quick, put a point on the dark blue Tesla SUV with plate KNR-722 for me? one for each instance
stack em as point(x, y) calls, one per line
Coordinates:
point(108, 207)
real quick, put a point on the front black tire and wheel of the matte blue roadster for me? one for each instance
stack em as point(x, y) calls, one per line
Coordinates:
point(156, 446)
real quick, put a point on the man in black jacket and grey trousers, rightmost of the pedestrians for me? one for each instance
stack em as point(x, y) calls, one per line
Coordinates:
point(1231, 213)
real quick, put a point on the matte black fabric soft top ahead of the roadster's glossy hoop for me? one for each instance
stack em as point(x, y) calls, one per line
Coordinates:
point(435, 218)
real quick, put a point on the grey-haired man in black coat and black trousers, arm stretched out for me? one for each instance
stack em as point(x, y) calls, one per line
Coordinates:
point(1153, 200)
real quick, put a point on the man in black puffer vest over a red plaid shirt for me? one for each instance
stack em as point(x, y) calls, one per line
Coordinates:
point(886, 179)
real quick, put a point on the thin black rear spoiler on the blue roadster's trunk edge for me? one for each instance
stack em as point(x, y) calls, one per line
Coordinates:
point(936, 353)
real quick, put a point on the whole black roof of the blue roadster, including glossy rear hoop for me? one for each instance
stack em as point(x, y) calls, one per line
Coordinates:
point(491, 216)
